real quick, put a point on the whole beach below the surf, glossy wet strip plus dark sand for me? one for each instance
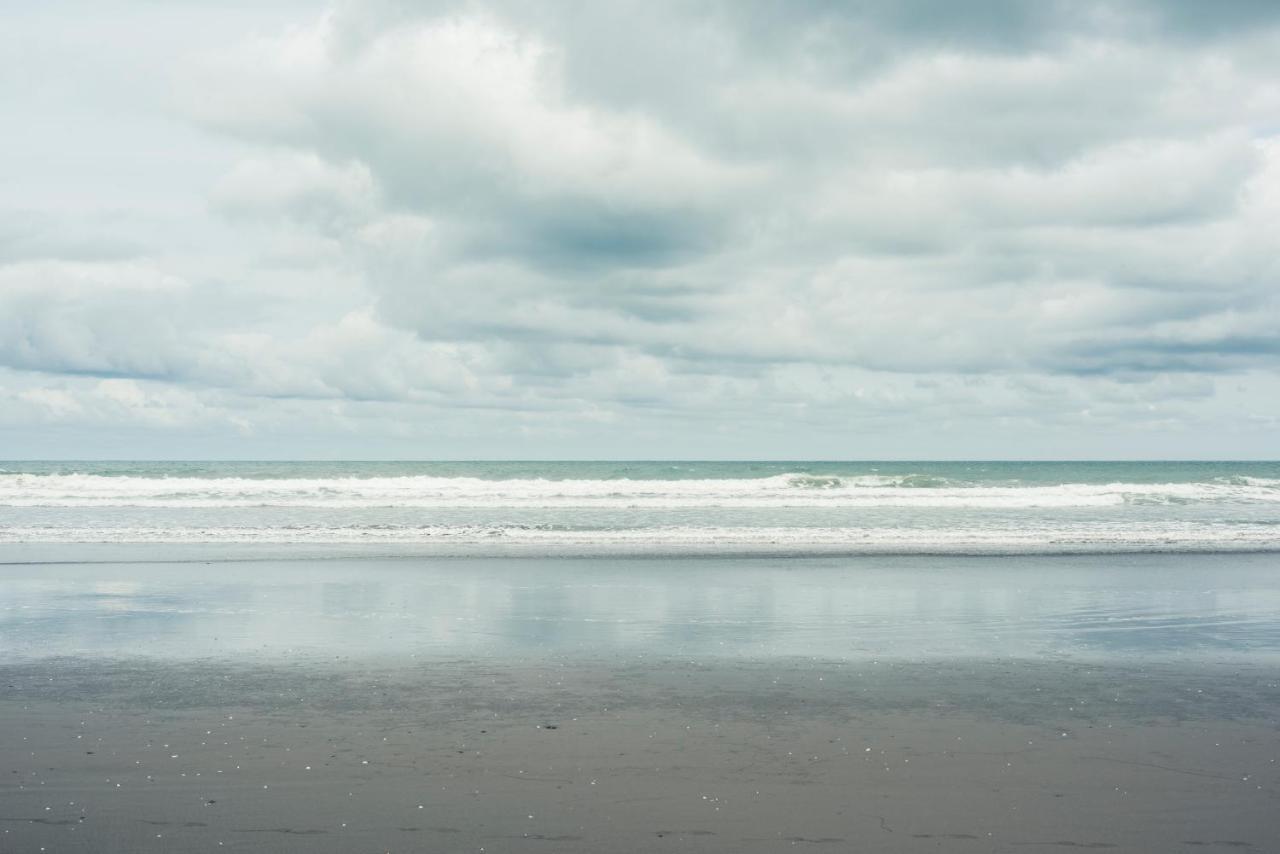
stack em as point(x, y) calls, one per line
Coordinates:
point(289, 704)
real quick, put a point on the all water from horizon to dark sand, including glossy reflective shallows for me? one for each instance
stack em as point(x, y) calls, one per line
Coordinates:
point(876, 560)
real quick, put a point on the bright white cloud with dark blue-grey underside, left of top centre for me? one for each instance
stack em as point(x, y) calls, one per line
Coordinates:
point(463, 116)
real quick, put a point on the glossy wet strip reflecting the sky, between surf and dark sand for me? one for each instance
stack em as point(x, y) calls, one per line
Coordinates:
point(117, 602)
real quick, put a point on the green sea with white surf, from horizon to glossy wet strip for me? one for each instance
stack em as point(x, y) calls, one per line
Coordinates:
point(655, 508)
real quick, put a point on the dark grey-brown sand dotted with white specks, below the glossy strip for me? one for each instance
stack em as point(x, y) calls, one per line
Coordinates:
point(637, 755)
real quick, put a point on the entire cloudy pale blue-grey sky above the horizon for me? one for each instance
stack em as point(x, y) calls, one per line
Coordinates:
point(661, 230)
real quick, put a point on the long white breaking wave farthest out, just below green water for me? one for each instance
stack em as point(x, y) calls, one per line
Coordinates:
point(779, 491)
